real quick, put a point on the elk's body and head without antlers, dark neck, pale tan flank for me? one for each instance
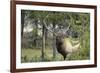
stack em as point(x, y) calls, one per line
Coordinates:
point(64, 45)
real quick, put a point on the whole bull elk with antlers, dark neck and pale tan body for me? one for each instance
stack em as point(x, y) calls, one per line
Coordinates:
point(64, 44)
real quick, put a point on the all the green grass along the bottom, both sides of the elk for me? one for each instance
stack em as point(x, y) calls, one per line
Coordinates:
point(34, 55)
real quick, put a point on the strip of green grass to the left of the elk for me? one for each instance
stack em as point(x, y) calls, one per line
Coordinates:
point(34, 55)
